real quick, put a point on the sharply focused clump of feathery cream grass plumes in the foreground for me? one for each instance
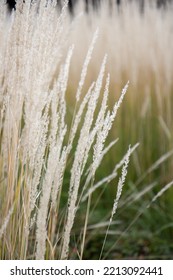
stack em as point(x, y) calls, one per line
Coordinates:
point(42, 157)
